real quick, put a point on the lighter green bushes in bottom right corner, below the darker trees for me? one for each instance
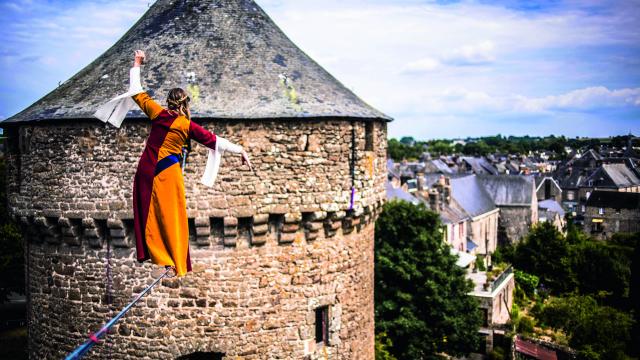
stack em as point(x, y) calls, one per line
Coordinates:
point(601, 332)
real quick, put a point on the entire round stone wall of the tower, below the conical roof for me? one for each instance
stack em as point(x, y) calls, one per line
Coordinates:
point(267, 248)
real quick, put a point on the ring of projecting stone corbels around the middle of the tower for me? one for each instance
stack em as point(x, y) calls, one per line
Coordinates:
point(214, 232)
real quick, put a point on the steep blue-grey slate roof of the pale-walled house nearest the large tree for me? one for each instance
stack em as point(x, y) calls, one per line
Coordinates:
point(471, 195)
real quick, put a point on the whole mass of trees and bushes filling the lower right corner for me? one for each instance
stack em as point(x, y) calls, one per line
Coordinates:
point(596, 278)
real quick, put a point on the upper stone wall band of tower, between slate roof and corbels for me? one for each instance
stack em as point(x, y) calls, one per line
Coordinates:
point(86, 170)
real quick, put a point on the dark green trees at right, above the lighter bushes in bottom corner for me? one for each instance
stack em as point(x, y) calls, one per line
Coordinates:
point(574, 262)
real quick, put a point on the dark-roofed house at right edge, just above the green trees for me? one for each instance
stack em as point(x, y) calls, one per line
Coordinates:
point(609, 212)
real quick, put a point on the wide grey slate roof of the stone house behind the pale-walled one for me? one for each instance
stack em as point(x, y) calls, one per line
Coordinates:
point(509, 190)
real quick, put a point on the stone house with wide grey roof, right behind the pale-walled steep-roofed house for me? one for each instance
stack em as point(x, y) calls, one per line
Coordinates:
point(518, 203)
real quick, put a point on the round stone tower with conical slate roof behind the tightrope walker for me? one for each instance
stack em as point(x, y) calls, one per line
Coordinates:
point(283, 265)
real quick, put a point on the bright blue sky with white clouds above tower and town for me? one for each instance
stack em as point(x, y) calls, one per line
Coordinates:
point(441, 69)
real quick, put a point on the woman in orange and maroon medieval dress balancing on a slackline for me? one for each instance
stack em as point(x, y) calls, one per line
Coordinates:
point(160, 215)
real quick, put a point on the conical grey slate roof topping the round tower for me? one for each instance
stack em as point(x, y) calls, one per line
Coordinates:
point(229, 54)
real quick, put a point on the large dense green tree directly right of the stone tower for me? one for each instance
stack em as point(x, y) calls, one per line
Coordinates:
point(421, 299)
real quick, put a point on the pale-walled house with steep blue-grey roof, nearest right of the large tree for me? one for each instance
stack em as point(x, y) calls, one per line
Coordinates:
point(473, 199)
